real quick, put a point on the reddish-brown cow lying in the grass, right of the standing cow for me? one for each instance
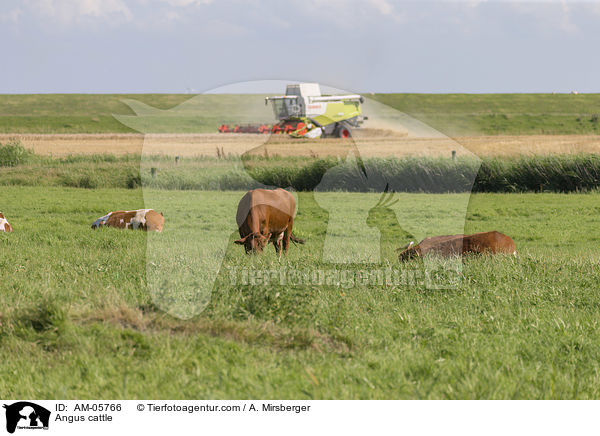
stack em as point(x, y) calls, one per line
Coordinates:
point(452, 245)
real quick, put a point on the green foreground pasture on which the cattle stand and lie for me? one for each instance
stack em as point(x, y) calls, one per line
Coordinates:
point(76, 320)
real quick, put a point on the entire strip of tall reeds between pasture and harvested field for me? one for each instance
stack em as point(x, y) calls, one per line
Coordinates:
point(551, 173)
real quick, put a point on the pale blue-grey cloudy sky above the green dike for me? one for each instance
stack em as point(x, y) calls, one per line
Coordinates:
point(365, 46)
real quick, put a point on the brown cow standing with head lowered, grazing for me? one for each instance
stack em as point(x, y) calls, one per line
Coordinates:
point(265, 215)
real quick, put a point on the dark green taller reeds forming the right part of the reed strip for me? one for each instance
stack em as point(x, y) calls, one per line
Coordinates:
point(559, 173)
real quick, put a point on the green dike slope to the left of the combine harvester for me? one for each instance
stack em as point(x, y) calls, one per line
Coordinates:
point(94, 113)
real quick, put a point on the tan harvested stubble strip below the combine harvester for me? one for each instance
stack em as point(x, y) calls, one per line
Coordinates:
point(371, 143)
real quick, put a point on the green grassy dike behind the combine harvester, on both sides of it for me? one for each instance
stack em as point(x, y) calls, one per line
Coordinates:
point(452, 114)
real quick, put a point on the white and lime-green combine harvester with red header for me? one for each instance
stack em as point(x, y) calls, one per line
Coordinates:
point(304, 113)
